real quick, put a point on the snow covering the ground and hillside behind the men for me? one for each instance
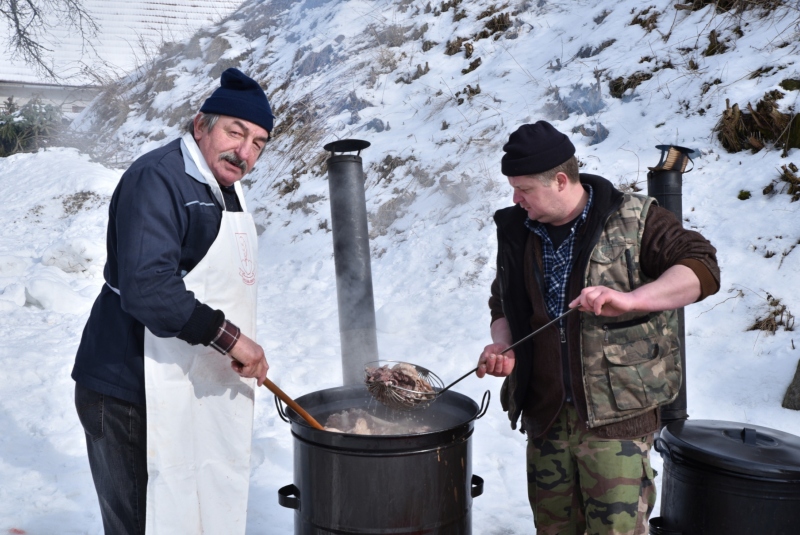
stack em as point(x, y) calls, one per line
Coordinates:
point(433, 183)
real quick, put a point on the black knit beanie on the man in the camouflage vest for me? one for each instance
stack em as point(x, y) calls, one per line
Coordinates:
point(535, 148)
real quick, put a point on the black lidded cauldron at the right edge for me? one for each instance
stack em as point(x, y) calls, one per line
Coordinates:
point(726, 478)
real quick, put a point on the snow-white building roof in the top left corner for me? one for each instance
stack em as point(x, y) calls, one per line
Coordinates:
point(128, 32)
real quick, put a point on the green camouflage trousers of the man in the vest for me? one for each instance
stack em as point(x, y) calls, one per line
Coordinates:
point(579, 483)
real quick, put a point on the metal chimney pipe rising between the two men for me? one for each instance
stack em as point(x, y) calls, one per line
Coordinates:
point(351, 256)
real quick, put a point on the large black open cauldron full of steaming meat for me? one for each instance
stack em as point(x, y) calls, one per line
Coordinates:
point(399, 484)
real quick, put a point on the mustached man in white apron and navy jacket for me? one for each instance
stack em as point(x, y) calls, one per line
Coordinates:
point(167, 365)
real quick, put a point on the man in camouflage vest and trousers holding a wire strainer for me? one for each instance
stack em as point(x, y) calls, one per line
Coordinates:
point(589, 387)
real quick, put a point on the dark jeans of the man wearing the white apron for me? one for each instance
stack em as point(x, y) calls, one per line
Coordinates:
point(116, 441)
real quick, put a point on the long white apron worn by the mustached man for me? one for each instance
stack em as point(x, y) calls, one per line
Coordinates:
point(199, 411)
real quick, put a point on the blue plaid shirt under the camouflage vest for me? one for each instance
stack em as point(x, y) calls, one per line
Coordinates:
point(558, 263)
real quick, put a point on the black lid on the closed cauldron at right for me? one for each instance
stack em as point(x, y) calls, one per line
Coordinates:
point(746, 449)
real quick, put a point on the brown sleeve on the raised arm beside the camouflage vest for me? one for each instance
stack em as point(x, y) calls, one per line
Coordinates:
point(665, 243)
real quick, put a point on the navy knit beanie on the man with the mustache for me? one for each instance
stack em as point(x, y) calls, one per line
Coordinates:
point(240, 96)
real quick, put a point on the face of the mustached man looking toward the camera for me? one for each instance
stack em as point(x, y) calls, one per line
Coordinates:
point(231, 147)
